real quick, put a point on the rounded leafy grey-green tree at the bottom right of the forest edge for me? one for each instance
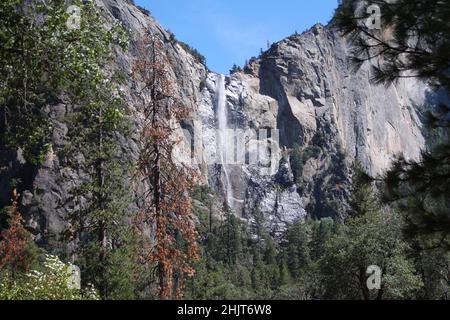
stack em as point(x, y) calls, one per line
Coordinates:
point(363, 241)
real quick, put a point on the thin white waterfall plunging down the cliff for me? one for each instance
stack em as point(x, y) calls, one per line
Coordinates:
point(223, 143)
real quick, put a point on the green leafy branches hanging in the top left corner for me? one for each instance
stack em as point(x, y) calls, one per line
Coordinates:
point(41, 59)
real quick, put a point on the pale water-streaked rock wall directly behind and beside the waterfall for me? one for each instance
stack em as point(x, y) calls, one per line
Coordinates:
point(255, 184)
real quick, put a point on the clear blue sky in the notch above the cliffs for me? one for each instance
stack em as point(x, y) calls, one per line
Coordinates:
point(231, 31)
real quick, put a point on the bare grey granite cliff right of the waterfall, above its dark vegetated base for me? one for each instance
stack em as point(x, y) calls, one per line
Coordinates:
point(320, 93)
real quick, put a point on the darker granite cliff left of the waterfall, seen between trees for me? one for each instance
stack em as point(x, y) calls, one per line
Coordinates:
point(45, 189)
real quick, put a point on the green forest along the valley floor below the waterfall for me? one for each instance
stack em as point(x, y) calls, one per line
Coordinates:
point(315, 259)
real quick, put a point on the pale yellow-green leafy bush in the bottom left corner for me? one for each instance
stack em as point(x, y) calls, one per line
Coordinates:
point(50, 282)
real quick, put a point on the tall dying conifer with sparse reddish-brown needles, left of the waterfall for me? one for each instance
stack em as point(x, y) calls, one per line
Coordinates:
point(166, 214)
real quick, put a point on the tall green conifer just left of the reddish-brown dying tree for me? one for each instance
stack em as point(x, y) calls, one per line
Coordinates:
point(99, 224)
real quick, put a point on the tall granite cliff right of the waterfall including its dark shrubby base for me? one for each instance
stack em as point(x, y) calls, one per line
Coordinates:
point(335, 114)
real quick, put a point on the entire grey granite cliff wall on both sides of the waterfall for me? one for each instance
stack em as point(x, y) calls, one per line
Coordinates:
point(303, 86)
